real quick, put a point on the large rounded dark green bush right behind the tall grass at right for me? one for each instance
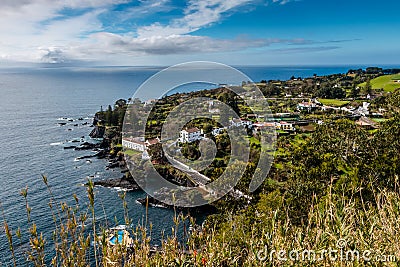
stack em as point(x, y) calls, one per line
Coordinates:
point(336, 155)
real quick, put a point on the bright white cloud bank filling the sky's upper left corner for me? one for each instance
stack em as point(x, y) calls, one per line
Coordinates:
point(29, 29)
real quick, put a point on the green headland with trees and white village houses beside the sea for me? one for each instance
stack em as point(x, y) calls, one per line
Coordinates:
point(296, 108)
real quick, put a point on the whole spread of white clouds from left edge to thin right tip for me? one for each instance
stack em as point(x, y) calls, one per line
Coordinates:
point(34, 31)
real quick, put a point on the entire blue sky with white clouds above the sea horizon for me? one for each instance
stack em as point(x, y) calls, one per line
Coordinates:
point(164, 32)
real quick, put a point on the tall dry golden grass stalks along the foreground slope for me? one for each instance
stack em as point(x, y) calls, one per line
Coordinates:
point(248, 238)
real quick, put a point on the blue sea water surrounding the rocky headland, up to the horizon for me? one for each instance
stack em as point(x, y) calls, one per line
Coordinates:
point(31, 143)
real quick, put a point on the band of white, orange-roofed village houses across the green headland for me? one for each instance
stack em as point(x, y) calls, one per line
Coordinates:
point(283, 123)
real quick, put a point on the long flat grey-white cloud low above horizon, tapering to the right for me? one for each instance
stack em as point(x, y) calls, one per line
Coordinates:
point(105, 45)
